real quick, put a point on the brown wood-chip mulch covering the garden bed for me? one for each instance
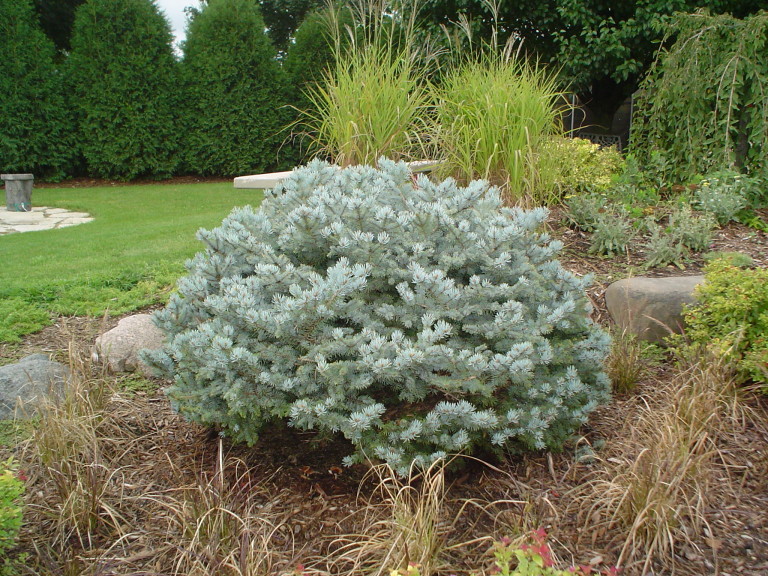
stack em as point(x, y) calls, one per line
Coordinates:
point(300, 472)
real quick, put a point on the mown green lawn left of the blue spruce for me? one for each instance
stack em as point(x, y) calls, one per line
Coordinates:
point(128, 257)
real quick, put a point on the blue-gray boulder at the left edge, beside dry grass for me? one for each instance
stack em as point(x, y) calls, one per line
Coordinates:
point(24, 385)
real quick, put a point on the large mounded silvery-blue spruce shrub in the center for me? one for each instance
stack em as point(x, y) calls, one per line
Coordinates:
point(416, 320)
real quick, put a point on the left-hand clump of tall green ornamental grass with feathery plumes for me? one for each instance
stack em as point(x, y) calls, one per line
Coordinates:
point(373, 99)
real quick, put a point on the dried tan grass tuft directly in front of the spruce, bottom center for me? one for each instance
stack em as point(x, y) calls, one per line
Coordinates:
point(415, 520)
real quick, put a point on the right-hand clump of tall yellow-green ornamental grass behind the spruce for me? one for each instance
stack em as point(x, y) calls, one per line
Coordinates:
point(495, 118)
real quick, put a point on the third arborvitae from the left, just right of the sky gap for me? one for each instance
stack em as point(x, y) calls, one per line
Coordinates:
point(234, 114)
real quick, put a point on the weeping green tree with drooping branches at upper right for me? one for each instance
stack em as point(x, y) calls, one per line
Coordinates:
point(704, 103)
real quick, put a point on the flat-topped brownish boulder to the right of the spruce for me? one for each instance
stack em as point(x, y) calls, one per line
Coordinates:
point(650, 308)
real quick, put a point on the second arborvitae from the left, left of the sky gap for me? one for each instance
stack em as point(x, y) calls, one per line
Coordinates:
point(125, 85)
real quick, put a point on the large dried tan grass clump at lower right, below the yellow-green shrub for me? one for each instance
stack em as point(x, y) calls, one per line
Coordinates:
point(654, 487)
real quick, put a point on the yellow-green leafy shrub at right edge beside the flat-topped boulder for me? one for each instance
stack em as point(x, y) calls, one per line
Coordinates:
point(730, 318)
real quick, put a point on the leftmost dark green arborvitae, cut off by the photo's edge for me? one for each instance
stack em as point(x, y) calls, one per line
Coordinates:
point(35, 125)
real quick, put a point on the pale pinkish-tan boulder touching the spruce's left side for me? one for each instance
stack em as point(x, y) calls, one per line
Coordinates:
point(119, 348)
